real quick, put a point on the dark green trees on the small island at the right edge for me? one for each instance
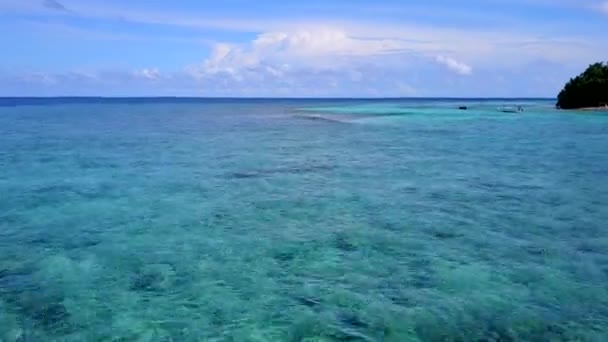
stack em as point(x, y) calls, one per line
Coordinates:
point(587, 90)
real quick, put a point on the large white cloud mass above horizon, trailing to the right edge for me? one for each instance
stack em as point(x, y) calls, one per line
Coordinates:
point(325, 58)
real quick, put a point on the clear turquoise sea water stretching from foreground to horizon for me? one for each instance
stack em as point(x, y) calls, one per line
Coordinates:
point(301, 220)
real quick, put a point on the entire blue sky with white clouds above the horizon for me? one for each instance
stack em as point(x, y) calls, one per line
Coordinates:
point(298, 48)
